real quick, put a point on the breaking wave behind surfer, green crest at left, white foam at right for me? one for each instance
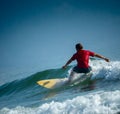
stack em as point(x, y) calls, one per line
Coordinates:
point(106, 71)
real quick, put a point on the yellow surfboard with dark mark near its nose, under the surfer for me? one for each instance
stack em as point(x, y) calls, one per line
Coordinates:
point(56, 83)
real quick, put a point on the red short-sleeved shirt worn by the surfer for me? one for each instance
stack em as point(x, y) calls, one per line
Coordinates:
point(82, 57)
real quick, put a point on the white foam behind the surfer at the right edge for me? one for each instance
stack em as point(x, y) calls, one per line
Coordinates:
point(108, 71)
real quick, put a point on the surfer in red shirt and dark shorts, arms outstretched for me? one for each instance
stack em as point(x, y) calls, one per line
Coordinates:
point(82, 58)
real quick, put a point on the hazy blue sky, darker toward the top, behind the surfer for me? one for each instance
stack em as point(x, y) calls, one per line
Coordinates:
point(44, 32)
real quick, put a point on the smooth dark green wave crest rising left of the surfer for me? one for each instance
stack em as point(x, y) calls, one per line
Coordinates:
point(29, 82)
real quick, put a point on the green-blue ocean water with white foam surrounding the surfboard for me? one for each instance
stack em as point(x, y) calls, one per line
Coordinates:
point(100, 95)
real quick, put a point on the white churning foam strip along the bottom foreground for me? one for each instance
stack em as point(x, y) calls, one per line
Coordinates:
point(92, 103)
